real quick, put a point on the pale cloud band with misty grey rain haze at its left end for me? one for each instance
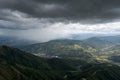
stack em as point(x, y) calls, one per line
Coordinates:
point(58, 30)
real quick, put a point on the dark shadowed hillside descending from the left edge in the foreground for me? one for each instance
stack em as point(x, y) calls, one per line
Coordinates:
point(19, 65)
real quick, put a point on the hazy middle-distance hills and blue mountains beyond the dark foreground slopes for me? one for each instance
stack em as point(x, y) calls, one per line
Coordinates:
point(97, 47)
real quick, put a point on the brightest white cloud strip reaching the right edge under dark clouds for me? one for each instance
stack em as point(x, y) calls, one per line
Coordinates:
point(77, 28)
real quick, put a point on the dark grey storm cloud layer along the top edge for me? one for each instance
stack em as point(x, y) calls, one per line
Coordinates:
point(68, 9)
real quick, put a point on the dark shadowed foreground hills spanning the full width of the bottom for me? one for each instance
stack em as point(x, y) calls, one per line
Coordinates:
point(19, 65)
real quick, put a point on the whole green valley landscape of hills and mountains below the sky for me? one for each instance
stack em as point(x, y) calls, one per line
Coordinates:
point(90, 59)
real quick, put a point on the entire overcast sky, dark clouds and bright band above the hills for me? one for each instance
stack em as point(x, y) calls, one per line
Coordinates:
point(43, 20)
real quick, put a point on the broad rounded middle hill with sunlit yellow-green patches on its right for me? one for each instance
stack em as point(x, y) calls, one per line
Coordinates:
point(61, 48)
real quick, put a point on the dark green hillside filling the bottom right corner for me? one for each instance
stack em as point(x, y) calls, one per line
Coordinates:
point(105, 71)
